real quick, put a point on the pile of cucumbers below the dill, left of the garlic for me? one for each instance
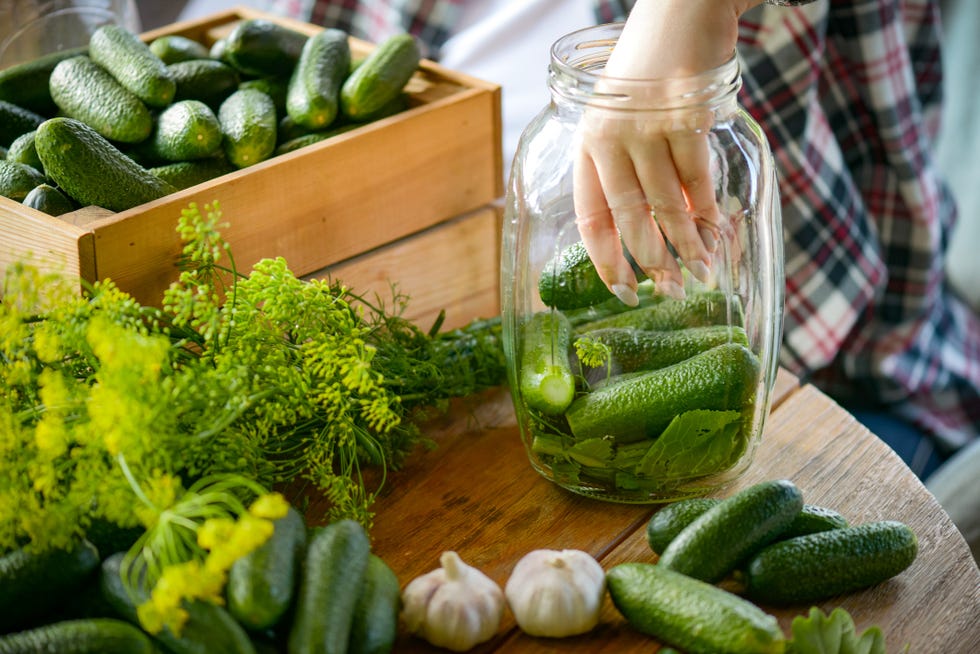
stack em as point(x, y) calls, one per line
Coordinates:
point(321, 590)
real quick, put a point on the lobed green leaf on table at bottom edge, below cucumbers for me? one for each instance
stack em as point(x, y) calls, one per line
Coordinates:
point(819, 633)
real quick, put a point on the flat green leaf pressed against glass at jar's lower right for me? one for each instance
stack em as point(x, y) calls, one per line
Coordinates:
point(695, 443)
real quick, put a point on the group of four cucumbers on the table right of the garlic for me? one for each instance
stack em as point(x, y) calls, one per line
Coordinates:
point(769, 547)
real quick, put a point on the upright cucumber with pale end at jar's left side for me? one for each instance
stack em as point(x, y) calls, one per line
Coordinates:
point(546, 383)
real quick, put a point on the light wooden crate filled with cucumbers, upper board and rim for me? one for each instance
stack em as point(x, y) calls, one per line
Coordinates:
point(326, 203)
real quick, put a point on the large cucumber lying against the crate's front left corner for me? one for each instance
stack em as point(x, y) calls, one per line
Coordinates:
point(93, 171)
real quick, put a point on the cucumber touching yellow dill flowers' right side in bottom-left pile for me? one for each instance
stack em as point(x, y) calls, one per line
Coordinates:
point(261, 585)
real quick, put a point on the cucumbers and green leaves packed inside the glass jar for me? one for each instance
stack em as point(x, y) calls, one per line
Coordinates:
point(644, 400)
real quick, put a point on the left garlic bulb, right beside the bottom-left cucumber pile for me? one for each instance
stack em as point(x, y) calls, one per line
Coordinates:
point(455, 606)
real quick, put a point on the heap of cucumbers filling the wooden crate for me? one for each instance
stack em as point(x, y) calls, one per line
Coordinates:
point(123, 122)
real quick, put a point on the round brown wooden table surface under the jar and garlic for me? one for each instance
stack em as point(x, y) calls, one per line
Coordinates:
point(477, 494)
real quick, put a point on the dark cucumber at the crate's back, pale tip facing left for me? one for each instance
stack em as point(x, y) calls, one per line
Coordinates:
point(261, 47)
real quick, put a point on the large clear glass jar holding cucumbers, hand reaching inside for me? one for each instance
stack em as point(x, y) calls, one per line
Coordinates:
point(666, 399)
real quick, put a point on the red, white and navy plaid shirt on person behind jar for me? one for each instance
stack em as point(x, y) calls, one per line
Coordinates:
point(848, 93)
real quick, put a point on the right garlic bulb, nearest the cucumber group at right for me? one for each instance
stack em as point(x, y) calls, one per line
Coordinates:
point(556, 593)
